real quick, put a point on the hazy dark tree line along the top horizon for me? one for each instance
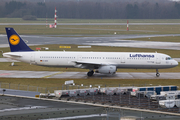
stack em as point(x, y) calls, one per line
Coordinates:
point(92, 10)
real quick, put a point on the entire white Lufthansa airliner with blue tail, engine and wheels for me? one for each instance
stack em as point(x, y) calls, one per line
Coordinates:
point(99, 62)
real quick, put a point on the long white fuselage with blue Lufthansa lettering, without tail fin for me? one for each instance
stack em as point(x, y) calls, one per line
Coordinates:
point(118, 59)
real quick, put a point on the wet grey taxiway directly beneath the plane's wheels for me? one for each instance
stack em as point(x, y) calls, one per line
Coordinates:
point(83, 75)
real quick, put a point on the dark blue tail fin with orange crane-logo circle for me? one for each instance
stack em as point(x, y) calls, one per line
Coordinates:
point(15, 42)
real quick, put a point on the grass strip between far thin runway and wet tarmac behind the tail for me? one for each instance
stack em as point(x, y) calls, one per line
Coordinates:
point(92, 29)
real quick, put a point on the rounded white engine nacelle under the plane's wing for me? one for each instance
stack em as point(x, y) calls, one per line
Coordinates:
point(106, 70)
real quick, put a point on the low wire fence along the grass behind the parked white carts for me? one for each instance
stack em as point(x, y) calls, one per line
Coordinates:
point(62, 87)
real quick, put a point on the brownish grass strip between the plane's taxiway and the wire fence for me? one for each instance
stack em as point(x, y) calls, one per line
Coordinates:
point(108, 82)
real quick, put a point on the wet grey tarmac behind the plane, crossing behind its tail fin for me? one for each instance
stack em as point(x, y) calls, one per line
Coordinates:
point(107, 40)
